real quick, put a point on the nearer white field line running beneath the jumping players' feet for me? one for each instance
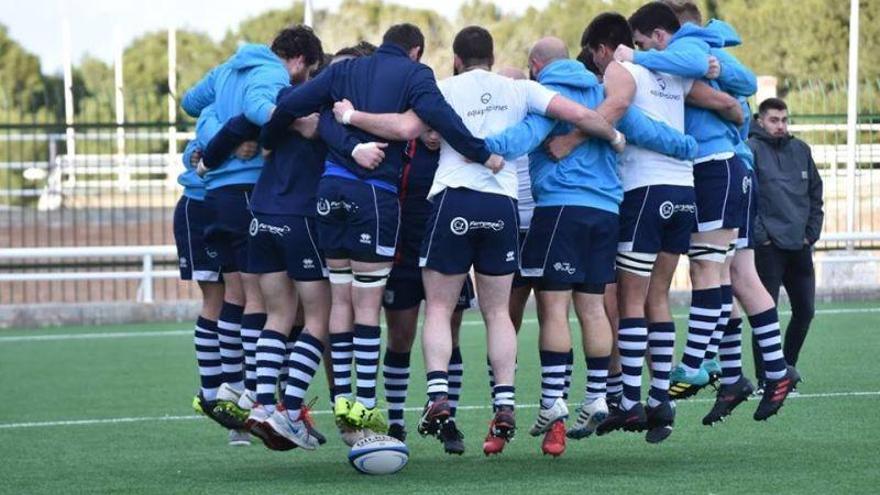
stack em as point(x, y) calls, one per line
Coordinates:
point(149, 419)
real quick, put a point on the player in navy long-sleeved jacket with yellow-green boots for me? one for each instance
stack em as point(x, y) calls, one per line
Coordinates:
point(357, 206)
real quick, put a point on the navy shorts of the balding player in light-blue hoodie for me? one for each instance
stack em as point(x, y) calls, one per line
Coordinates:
point(571, 246)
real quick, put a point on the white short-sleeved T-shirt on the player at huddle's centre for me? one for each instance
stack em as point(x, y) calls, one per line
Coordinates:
point(488, 104)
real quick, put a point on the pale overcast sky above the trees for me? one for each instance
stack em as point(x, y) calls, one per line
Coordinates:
point(36, 24)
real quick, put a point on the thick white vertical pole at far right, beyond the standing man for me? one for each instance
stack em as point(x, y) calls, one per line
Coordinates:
point(852, 109)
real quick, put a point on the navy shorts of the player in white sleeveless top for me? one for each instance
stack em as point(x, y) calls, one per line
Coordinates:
point(657, 218)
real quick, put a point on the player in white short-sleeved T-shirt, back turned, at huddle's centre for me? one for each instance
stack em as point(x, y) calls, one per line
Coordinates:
point(474, 222)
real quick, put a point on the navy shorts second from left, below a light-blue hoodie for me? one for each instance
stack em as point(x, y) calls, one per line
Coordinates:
point(226, 232)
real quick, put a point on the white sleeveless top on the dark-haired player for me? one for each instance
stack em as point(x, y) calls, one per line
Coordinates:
point(661, 97)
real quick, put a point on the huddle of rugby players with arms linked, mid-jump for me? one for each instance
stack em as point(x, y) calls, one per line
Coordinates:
point(317, 192)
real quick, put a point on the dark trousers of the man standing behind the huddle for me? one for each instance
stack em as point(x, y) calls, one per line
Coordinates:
point(794, 270)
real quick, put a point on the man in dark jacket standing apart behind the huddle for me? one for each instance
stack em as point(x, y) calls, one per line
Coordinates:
point(789, 220)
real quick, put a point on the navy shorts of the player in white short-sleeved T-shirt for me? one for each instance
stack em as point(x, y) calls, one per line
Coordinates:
point(469, 228)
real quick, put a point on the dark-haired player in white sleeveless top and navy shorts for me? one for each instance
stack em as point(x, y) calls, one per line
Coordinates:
point(657, 216)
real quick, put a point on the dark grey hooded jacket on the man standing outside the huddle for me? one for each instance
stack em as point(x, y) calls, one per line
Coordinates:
point(789, 191)
